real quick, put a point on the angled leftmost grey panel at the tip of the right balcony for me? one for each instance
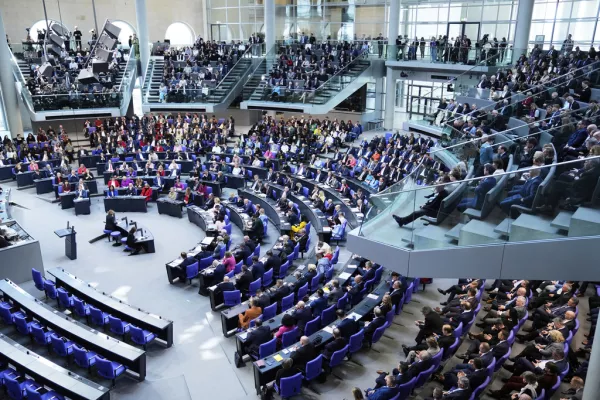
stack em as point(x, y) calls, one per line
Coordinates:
point(386, 255)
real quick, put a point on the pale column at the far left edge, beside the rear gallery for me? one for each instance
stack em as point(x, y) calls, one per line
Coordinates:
point(9, 90)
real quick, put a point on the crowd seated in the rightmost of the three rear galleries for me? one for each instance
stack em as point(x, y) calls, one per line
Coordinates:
point(301, 69)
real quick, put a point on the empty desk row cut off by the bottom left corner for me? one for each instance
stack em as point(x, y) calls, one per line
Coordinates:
point(46, 373)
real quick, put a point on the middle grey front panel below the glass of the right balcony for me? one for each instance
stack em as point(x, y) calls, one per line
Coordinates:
point(460, 262)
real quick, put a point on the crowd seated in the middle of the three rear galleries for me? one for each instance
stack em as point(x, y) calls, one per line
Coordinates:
point(190, 71)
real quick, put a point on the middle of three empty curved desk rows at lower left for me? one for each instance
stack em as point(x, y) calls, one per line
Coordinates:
point(133, 358)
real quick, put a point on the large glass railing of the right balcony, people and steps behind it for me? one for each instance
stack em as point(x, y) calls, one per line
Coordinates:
point(489, 207)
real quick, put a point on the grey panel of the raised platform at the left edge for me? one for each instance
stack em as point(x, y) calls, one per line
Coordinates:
point(16, 261)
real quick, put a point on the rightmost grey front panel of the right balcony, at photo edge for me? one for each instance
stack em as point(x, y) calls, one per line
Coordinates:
point(570, 259)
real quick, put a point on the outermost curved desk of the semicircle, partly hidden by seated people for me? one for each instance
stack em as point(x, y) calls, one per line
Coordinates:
point(271, 365)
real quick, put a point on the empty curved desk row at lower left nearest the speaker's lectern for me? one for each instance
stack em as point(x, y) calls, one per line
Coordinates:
point(163, 328)
